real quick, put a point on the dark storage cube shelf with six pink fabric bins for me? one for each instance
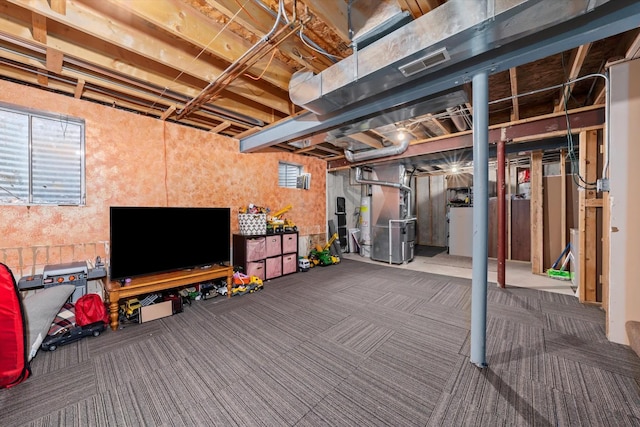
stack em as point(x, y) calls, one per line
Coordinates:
point(266, 256)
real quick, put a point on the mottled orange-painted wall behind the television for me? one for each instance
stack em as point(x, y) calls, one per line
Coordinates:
point(141, 161)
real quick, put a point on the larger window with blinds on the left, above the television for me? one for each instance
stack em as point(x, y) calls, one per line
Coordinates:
point(41, 158)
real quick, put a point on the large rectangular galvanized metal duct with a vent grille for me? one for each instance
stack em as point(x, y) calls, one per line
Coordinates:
point(448, 35)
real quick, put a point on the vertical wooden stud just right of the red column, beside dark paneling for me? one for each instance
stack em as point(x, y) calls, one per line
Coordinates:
point(537, 219)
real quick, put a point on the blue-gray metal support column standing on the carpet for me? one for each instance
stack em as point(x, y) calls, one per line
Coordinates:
point(480, 214)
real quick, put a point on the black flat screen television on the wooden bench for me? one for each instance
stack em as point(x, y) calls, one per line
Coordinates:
point(148, 240)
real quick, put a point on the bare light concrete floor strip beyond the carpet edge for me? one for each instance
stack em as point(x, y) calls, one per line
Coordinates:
point(517, 273)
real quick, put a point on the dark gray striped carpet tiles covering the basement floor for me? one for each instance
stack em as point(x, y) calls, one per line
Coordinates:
point(353, 344)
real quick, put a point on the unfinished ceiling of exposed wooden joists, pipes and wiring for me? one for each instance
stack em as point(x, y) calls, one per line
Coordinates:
point(208, 64)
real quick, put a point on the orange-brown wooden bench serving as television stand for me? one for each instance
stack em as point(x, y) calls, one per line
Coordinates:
point(160, 282)
